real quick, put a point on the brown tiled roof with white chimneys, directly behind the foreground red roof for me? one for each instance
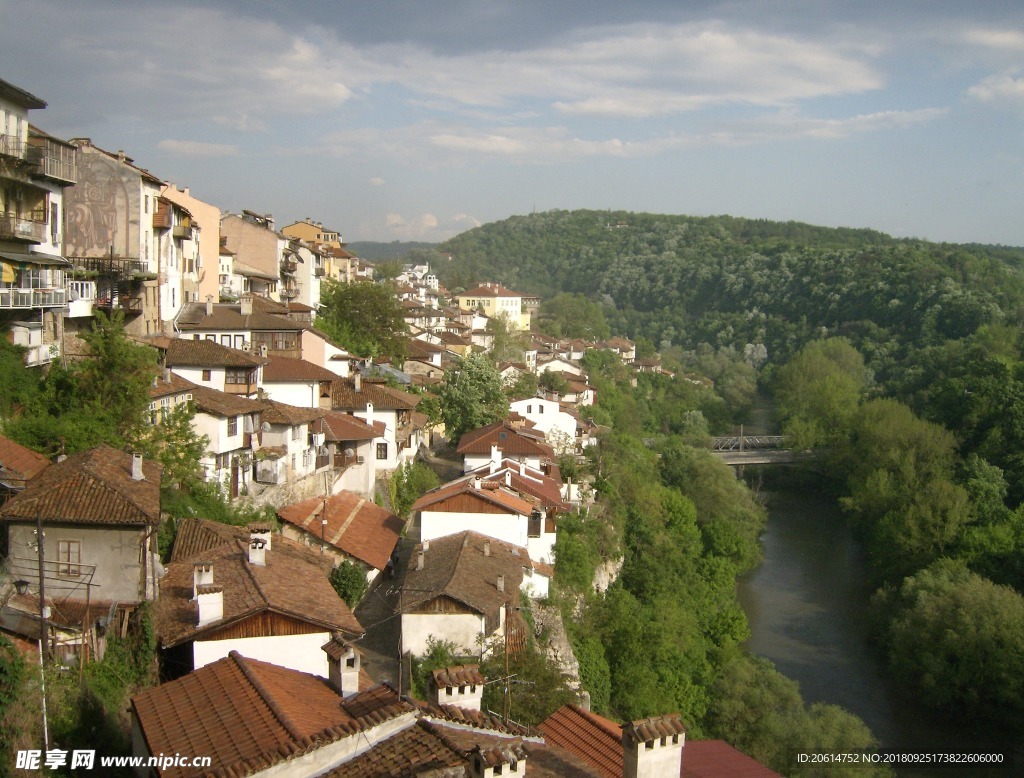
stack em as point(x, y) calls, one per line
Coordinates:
point(287, 584)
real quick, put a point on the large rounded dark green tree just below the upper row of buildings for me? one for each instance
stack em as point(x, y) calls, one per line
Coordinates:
point(365, 318)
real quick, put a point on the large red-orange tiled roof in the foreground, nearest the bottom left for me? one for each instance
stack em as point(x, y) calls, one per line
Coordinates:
point(249, 715)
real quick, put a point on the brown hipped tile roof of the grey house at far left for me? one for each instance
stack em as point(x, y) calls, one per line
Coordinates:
point(92, 488)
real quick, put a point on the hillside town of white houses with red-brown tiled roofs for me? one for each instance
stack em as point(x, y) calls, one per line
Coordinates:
point(265, 669)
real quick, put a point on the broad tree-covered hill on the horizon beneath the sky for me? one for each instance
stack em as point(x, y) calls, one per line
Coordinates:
point(727, 281)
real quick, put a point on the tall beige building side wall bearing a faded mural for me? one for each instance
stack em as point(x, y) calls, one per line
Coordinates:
point(102, 210)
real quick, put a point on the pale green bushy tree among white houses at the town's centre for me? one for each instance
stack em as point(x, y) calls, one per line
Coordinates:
point(472, 397)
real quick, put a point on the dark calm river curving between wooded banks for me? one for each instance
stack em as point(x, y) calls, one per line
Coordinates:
point(807, 606)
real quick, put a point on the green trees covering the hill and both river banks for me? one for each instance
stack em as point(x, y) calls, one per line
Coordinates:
point(901, 362)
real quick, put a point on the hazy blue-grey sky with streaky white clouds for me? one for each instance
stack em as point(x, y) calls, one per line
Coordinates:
point(418, 120)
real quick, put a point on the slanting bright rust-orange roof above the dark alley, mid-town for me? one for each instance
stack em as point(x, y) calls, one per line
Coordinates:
point(355, 526)
